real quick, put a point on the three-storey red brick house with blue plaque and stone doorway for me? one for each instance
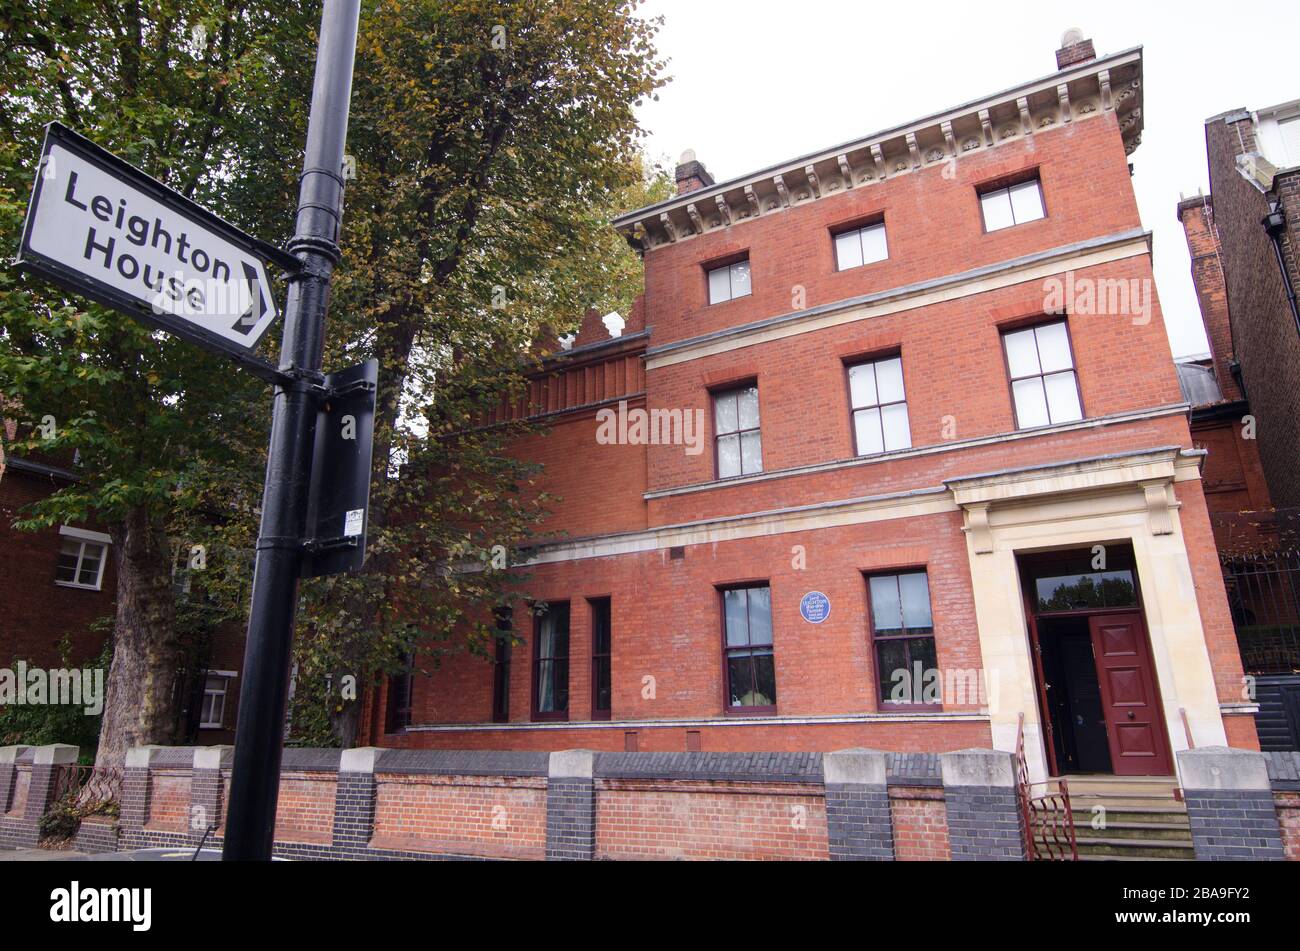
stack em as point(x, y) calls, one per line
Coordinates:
point(891, 446)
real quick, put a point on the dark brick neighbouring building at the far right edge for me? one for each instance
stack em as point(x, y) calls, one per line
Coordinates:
point(1243, 394)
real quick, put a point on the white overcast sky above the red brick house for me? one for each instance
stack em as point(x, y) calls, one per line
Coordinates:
point(756, 84)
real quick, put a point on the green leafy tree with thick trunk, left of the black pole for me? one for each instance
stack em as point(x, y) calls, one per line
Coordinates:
point(205, 95)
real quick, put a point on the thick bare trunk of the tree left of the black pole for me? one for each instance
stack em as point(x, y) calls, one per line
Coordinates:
point(141, 700)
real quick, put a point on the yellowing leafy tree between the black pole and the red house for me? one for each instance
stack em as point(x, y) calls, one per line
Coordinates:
point(492, 145)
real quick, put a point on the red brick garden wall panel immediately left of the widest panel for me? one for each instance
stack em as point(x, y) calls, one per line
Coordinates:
point(489, 817)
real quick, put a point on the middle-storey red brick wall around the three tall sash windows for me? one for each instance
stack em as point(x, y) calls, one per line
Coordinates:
point(956, 385)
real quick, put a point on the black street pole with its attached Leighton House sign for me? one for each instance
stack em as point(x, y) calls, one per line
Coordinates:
point(105, 231)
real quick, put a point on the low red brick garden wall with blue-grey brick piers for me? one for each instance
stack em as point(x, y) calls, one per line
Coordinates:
point(855, 805)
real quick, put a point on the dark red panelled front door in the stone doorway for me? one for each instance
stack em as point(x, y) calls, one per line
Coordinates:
point(1136, 723)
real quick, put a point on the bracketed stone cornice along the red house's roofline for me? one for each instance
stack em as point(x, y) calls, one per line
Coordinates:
point(1112, 84)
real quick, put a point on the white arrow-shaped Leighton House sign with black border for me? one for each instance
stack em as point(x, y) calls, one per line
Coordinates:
point(105, 229)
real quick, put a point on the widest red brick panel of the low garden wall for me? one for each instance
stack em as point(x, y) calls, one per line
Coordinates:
point(709, 820)
